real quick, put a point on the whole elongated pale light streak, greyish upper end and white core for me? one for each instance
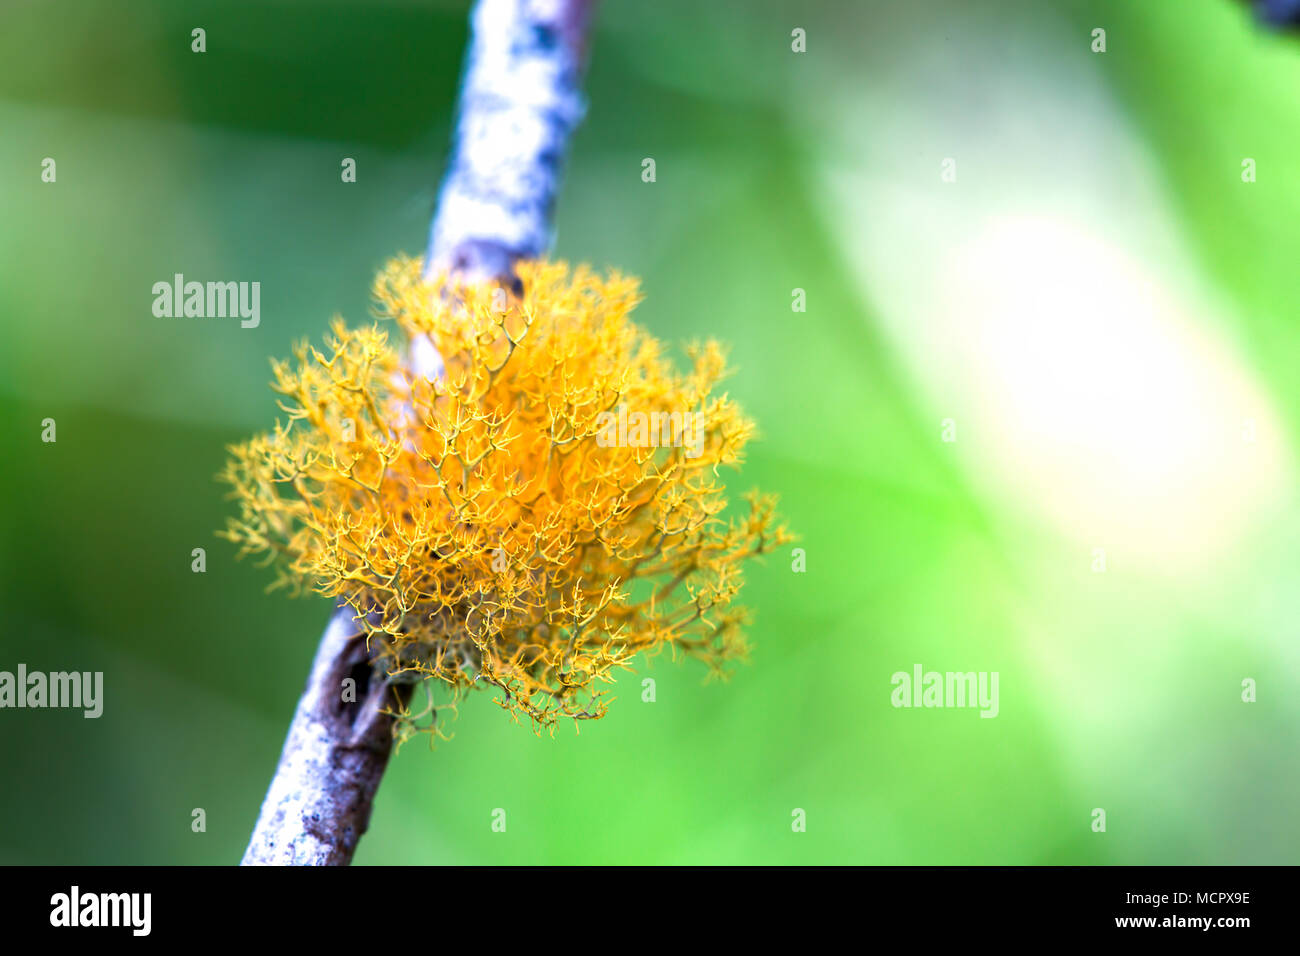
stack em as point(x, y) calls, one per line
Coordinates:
point(1047, 304)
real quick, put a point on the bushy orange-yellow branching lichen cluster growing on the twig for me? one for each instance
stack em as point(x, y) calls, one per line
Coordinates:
point(478, 524)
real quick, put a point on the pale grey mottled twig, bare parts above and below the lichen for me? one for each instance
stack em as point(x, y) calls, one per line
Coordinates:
point(521, 101)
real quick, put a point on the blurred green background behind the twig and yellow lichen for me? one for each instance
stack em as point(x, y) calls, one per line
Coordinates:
point(1099, 304)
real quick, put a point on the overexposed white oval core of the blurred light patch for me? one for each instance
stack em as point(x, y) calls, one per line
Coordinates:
point(1097, 396)
